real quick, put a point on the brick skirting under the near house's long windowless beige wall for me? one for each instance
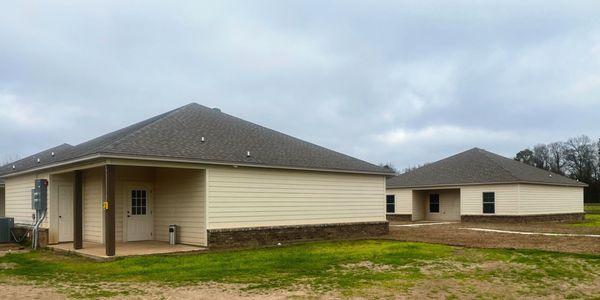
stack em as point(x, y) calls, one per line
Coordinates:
point(269, 236)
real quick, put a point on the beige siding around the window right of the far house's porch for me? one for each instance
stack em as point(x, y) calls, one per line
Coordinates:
point(506, 198)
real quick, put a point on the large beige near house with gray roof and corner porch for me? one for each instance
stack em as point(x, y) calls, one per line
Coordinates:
point(222, 180)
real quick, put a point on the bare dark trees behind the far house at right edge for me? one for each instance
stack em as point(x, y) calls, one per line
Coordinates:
point(577, 158)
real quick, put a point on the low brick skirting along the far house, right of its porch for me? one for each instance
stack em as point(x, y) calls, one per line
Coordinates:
point(570, 217)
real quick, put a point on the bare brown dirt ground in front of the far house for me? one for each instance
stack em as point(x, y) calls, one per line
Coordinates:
point(456, 234)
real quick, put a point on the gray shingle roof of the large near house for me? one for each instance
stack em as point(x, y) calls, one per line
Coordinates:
point(178, 134)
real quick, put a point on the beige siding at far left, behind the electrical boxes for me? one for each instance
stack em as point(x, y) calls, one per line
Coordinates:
point(18, 198)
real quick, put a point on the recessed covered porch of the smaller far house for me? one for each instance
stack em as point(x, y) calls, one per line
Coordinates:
point(436, 205)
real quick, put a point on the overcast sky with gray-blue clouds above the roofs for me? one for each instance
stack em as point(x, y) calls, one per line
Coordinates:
point(405, 82)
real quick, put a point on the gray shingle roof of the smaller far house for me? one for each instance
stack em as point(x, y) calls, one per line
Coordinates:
point(477, 166)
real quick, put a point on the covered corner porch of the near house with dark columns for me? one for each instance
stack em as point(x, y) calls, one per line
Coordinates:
point(123, 208)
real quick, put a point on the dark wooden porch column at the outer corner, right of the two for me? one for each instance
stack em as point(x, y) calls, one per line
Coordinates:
point(109, 210)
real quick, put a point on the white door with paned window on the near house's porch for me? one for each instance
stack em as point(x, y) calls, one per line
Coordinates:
point(138, 210)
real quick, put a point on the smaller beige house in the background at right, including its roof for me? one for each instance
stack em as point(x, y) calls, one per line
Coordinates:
point(480, 185)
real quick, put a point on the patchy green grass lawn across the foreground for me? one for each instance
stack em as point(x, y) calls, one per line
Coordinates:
point(371, 268)
